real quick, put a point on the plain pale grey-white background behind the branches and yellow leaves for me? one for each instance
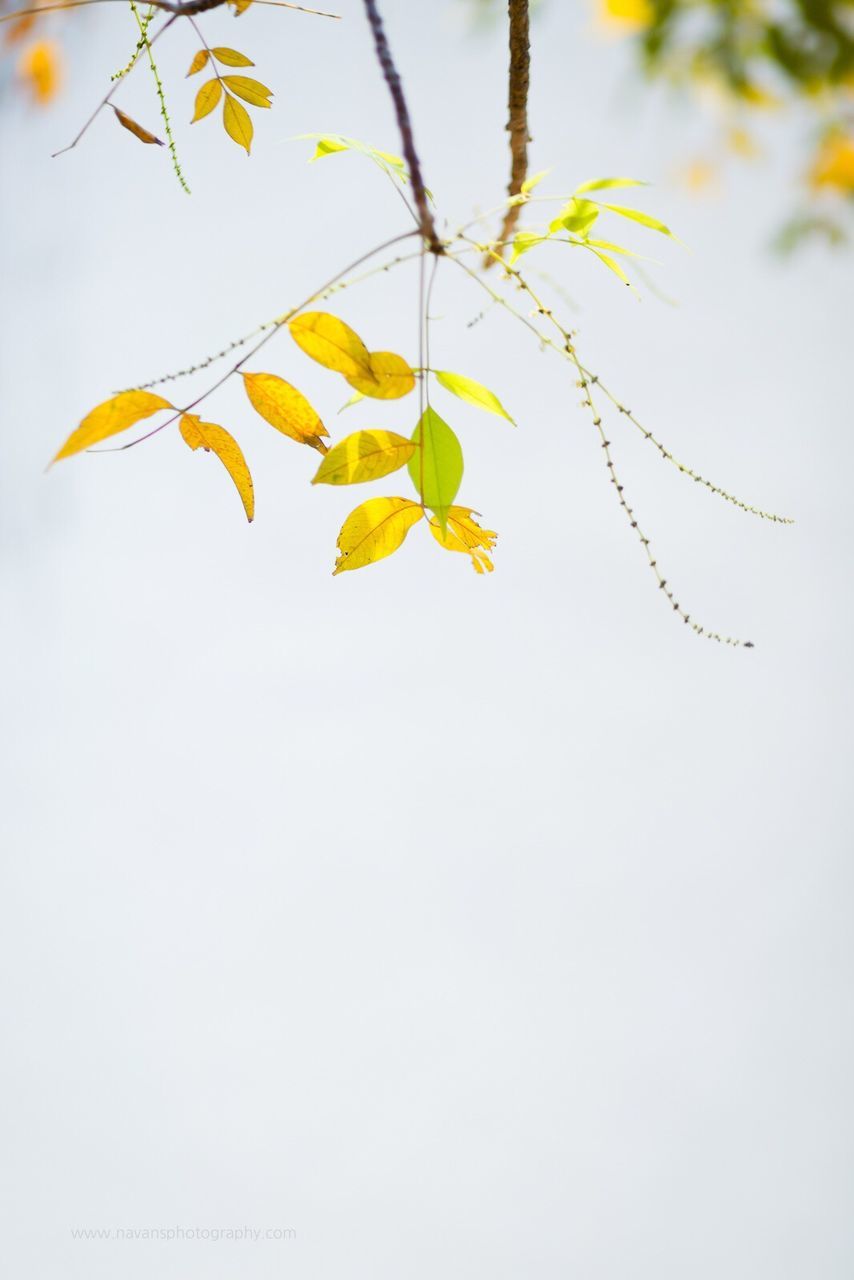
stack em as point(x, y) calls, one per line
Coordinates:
point(464, 926)
